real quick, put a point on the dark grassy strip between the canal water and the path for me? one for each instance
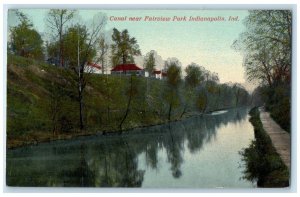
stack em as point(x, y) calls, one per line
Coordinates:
point(263, 163)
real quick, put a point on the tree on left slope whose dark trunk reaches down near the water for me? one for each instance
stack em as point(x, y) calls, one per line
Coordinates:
point(81, 42)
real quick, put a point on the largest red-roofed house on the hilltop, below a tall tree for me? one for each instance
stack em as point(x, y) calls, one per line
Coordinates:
point(127, 69)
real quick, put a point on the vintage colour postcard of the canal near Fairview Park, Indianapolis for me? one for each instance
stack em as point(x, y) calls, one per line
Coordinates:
point(151, 98)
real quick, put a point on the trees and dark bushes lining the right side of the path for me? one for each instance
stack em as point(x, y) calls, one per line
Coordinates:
point(267, 47)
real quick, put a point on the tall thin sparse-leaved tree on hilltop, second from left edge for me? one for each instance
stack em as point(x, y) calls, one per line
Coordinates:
point(57, 20)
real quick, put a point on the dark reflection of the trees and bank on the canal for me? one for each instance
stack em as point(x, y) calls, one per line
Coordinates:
point(112, 161)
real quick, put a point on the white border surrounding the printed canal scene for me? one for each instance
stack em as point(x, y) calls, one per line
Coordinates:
point(180, 5)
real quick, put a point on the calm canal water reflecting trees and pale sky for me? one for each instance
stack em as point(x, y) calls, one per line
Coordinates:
point(198, 152)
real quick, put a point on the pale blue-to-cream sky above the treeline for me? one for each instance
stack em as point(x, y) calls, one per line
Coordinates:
point(203, 42)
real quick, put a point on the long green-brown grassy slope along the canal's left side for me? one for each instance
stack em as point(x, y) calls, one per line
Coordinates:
point(42, 102)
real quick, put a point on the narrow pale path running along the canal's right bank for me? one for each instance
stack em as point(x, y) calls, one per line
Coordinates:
point(281, 139)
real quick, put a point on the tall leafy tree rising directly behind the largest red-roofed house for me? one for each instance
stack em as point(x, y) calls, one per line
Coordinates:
point(124, 47)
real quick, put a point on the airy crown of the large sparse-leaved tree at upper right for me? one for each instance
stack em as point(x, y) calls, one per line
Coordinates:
point(267, 45)
